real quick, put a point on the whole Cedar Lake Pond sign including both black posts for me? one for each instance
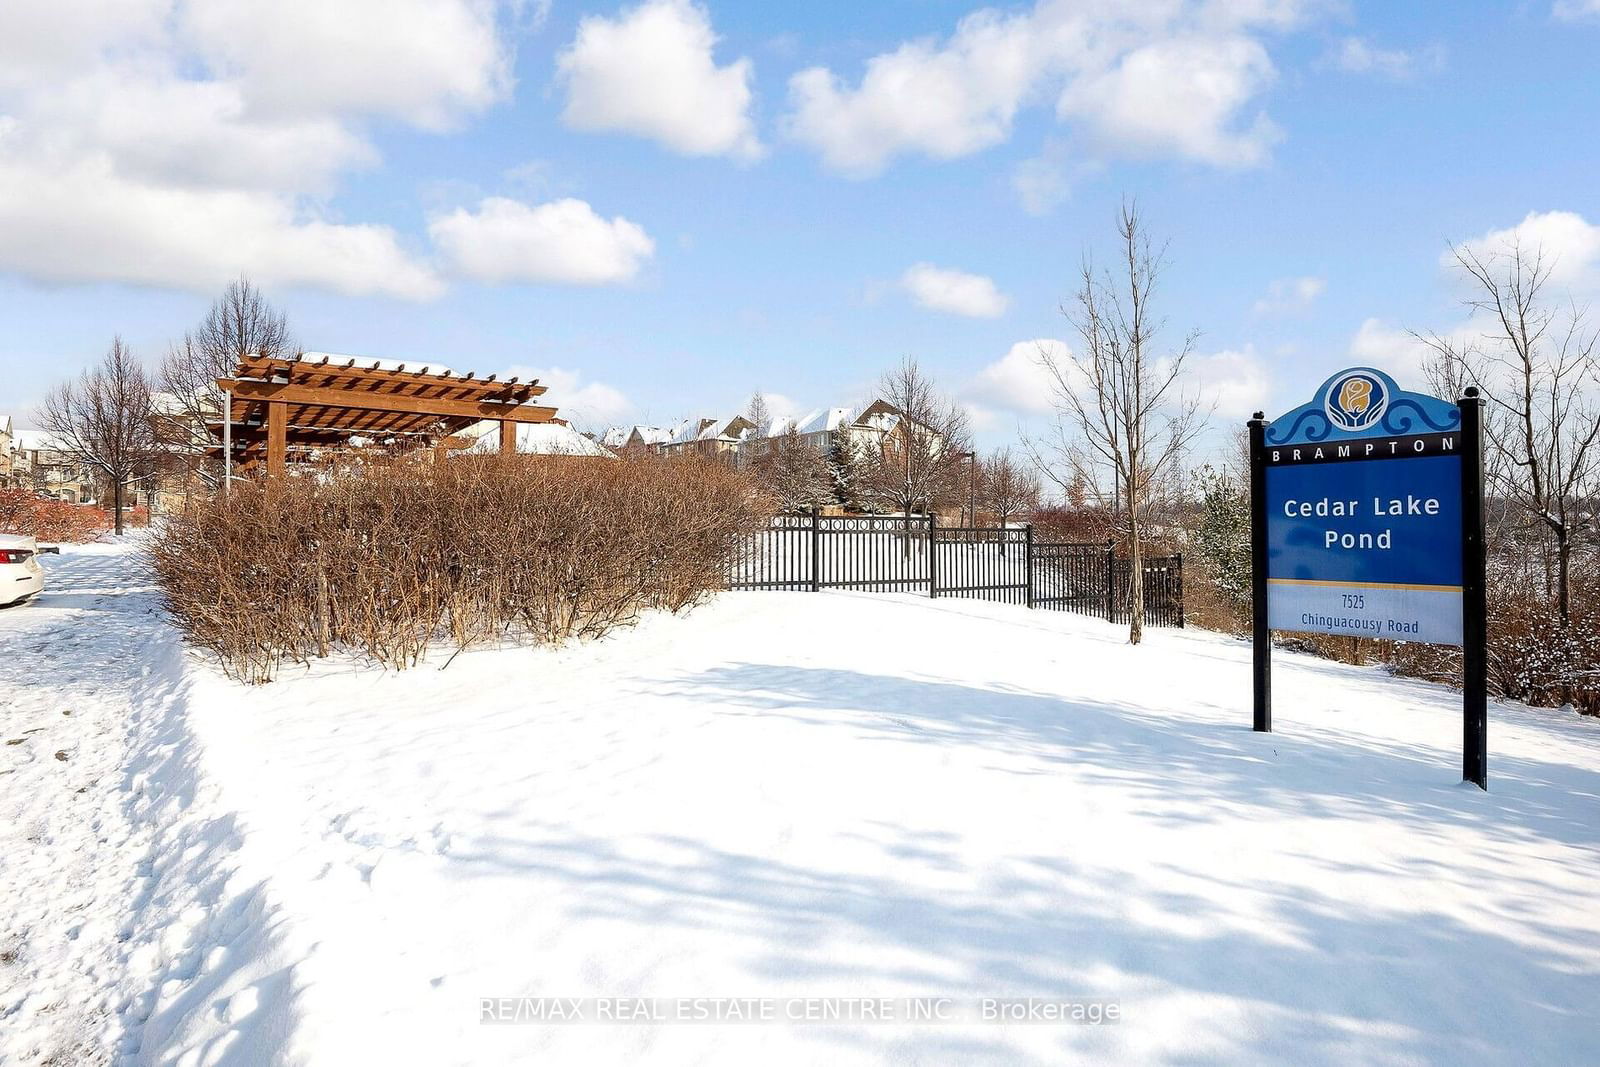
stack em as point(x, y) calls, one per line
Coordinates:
point(1367, 521)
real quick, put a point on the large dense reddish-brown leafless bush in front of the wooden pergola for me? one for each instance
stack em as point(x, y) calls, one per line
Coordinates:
point(390, 557)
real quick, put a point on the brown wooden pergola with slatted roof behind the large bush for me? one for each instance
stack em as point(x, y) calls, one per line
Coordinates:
point(289, 409)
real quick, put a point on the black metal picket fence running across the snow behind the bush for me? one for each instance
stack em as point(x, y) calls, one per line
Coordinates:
point(900, 554)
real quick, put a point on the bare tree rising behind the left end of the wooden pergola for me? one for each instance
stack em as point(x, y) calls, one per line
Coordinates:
point(239, 326)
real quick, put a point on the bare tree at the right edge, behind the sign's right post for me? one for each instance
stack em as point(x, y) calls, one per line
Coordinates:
point(1537, 364)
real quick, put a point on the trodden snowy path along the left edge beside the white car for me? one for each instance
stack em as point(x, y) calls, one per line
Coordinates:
point(122, 917)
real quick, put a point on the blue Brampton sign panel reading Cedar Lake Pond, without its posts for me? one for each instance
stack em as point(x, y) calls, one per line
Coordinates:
point(1364, 513)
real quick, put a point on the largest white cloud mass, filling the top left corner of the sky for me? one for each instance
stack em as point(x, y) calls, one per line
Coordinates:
point(178, 143)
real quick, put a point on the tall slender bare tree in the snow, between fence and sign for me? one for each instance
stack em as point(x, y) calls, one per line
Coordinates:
point(1121, 412)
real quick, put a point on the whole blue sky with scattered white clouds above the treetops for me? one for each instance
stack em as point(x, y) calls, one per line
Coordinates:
point(665, 207)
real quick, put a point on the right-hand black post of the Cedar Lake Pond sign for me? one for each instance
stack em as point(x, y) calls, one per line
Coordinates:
point(1474, 599)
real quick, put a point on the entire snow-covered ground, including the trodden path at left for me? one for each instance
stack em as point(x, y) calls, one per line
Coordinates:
point(777, 796)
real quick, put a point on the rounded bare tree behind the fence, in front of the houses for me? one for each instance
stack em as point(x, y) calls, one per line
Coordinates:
point(918, 465)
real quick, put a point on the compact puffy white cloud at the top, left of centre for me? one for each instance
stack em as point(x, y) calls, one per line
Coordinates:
point(652, 73)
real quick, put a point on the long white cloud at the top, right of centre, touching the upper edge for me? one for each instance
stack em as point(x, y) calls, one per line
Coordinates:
point(1159, 78)
